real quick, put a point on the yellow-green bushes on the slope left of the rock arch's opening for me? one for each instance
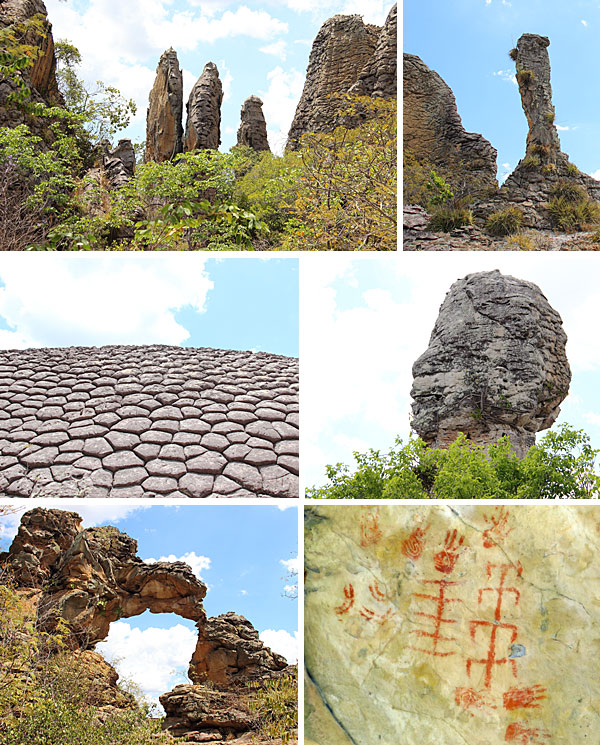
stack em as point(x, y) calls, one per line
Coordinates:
point(46, 692)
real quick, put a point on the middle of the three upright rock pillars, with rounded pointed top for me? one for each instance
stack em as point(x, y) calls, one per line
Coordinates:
point(203, 128)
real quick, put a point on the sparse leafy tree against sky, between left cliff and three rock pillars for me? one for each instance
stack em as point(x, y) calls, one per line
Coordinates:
point(104, 111)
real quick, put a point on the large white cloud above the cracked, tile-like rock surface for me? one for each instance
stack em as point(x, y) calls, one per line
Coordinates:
point(91, 299)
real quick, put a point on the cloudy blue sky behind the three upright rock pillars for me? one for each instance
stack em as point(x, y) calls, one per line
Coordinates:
point(260, 48)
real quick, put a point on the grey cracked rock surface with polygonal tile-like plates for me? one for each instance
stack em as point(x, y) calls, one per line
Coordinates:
point(148, 421)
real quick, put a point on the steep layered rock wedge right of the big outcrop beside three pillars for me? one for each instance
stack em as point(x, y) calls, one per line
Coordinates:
point(379, 77)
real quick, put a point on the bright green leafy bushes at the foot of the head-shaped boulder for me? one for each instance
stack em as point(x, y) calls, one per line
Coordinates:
point(561, 465)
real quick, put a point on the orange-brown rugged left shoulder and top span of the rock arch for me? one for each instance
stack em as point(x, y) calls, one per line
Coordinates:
point(93, 577)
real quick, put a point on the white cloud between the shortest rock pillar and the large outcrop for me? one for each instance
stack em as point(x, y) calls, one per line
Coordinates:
point(279, 104)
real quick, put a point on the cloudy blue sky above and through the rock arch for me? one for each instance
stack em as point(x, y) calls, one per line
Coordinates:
point(243, 554)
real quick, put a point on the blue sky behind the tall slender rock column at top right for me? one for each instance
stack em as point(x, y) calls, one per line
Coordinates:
point(467, 43)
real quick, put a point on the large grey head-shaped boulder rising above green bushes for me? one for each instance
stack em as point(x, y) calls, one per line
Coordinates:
point(496, 365)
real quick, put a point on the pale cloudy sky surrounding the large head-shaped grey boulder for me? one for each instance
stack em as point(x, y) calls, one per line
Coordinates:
point(365, 320)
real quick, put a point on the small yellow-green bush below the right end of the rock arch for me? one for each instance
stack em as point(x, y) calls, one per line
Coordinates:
point(275, 706)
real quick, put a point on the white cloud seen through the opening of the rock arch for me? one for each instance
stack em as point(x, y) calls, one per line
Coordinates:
point(155, 659)
